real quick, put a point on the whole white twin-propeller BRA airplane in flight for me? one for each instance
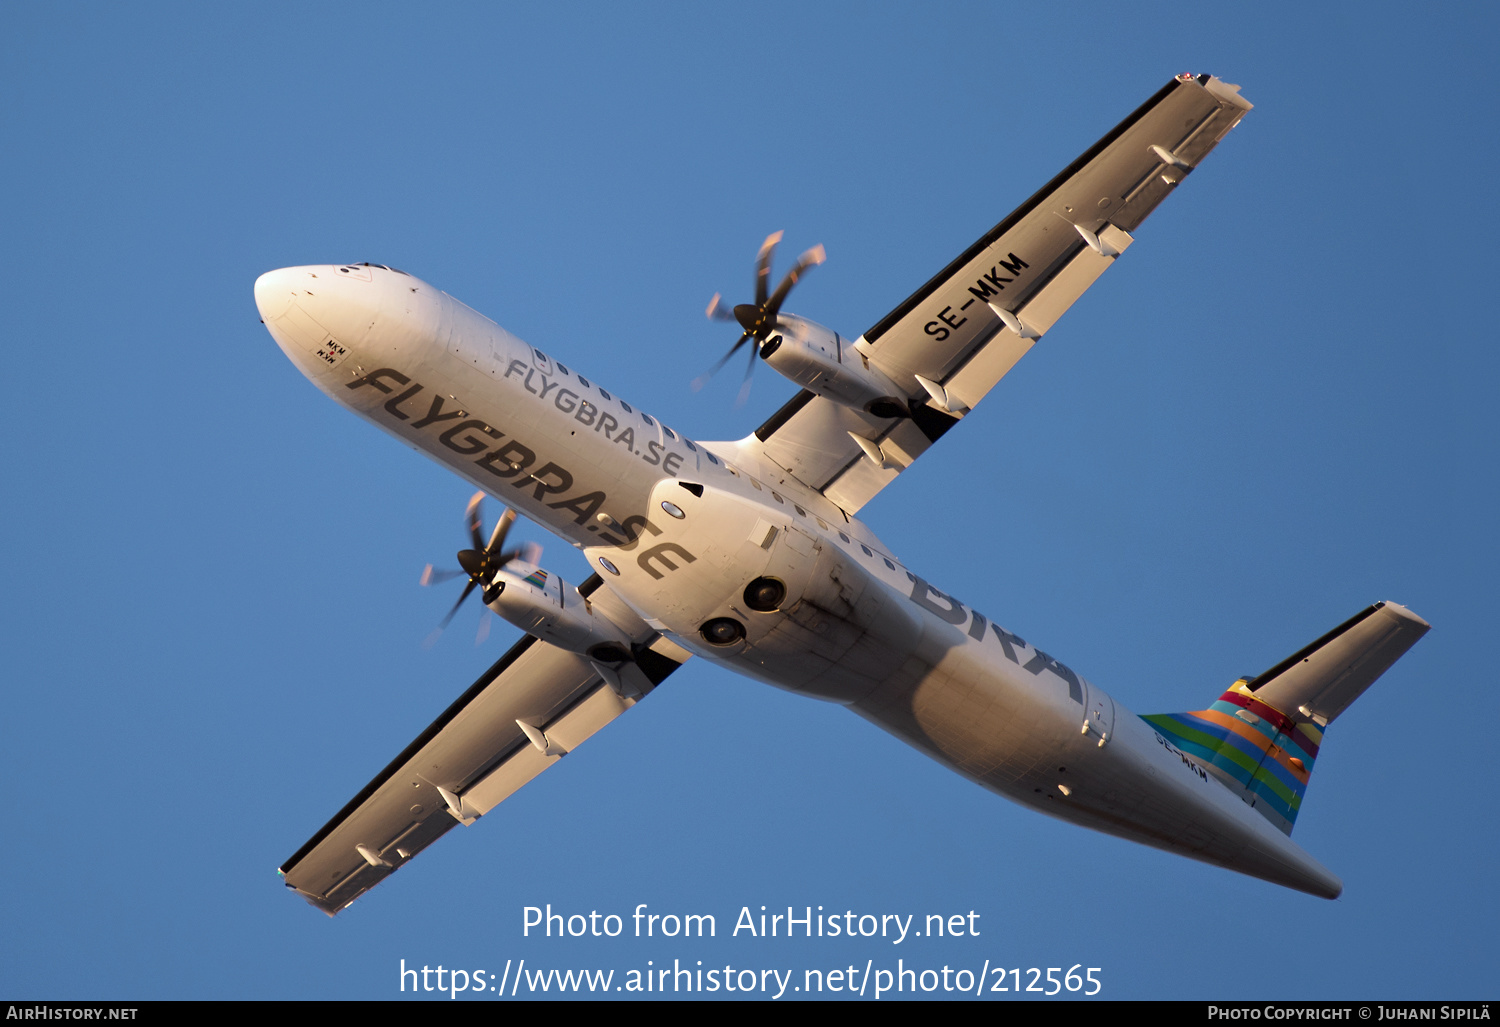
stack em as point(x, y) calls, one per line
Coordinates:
point(751, 554)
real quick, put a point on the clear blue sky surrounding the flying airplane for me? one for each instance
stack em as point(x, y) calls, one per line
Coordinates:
point(1277, 410)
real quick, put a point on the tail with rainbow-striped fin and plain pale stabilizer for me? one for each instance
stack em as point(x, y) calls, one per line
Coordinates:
point(1262, 737)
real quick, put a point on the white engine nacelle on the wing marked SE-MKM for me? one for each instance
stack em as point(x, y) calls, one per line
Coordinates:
point(824, 362)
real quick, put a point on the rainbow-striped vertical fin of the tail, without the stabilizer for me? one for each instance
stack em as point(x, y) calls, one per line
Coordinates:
point(1252, 747)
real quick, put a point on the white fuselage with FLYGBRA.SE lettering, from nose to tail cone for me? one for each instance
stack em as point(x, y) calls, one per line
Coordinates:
point(679, 530)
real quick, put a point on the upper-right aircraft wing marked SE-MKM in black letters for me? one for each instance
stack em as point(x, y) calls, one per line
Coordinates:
point(974, 320)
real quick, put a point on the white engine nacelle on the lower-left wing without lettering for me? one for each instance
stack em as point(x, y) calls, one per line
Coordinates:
point(544, 605)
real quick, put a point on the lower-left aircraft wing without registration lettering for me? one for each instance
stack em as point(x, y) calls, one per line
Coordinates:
point(473, 758)
